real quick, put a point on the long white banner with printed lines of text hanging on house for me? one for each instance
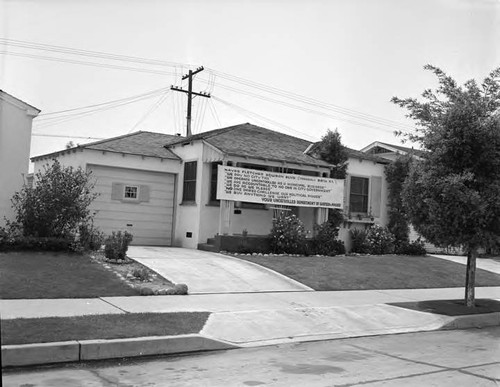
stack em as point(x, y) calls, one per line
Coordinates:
point(249, 185)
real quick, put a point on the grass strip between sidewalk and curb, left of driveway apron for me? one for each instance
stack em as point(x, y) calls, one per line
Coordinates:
point(110, 326)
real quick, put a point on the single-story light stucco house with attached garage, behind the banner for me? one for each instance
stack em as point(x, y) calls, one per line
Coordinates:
point(164, 188)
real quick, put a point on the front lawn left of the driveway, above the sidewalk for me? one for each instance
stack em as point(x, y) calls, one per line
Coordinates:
point(57, 275)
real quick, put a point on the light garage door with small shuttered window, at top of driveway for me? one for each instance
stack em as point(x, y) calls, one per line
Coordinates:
point(138, 201)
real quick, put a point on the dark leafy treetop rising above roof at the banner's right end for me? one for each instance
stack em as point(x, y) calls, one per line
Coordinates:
point(331, 150)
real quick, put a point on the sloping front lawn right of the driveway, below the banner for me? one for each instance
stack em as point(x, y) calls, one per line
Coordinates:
point(373, 272)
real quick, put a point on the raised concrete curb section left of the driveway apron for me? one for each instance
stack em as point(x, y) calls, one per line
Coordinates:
point(74, 351)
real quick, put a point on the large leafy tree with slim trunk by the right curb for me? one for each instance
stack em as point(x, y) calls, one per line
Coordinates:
point(452, 193)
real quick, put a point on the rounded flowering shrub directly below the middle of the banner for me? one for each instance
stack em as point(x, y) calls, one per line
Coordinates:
point(287, 235)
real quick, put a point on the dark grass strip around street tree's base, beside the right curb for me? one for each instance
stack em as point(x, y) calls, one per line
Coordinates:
point(451, 307)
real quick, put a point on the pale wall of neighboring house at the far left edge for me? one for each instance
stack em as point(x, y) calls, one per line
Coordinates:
point(16, 118)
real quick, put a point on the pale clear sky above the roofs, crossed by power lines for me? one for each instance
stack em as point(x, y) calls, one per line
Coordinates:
point(300, 67)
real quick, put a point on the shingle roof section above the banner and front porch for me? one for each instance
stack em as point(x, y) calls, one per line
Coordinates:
point(247, 140)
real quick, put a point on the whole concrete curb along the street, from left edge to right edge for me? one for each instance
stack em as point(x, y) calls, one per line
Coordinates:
point(74, 351)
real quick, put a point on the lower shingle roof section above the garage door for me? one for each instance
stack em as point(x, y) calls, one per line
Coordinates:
point(138, 143)
